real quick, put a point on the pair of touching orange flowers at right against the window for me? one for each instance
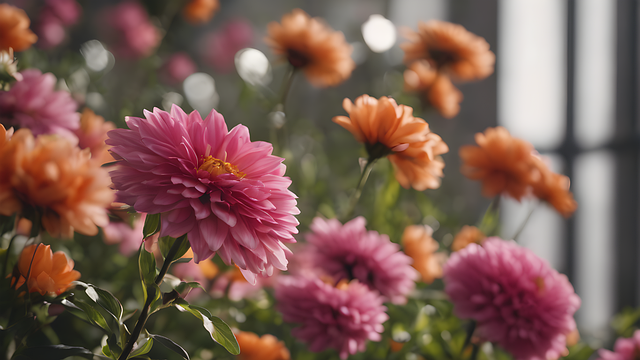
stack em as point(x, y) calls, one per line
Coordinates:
point(510, 166)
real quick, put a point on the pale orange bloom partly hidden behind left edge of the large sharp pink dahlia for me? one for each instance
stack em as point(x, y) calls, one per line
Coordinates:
point(92, 134)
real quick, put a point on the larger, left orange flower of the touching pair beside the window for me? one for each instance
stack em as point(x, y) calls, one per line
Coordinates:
point(503, 163)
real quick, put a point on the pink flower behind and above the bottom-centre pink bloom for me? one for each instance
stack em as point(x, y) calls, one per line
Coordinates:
point(350, 252)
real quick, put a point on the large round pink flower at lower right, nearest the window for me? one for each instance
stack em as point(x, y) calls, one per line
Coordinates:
point(516, 298)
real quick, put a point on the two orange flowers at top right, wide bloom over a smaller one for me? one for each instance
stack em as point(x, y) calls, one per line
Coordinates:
point(438, 52)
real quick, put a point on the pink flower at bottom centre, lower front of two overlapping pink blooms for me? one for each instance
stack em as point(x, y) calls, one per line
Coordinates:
point(342, 317)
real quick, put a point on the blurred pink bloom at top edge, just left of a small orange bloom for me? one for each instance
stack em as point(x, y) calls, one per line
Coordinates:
point(130, 32)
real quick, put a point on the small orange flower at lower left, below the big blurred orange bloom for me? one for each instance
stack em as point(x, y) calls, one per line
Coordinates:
point(48, 272)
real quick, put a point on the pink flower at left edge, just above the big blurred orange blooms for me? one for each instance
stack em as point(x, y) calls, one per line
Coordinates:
point(34, 104)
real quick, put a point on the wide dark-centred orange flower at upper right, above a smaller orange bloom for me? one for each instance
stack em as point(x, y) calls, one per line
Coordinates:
point(450, 49)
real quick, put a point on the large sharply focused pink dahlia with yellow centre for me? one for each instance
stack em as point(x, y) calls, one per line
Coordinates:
point(226, 193)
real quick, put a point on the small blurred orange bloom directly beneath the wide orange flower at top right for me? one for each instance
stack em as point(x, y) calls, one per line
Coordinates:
point(438, 89)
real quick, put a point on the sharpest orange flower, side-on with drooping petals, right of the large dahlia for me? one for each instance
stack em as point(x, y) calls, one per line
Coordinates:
point(389, 129)
